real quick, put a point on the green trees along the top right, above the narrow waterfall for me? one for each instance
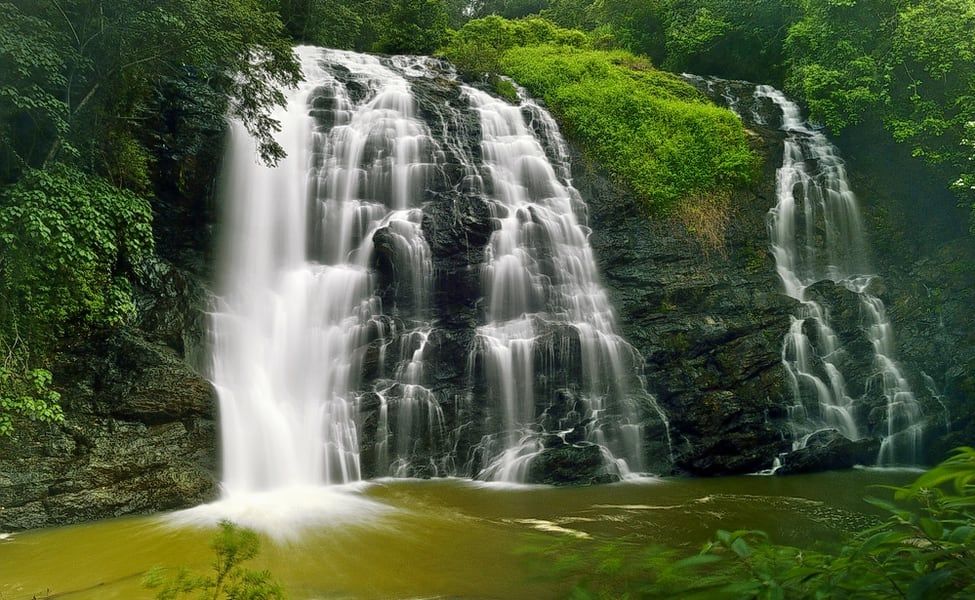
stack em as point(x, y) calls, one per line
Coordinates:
point(906, 67)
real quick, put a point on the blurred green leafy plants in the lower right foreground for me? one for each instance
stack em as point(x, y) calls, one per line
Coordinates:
point(924, 549)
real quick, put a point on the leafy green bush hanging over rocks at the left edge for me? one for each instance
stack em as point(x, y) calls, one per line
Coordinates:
point(69, 240)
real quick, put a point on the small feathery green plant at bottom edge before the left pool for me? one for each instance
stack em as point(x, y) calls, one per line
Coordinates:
point(230, 579)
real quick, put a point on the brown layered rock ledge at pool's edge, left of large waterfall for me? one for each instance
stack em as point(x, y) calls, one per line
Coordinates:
point(139, 436)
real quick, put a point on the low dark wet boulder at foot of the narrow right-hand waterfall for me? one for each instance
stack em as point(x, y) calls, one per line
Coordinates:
point(829, 450)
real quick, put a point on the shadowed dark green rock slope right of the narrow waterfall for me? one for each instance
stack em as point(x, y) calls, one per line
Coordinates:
point(927, 254)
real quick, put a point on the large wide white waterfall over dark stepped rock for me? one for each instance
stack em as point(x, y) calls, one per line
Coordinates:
point(348, 338)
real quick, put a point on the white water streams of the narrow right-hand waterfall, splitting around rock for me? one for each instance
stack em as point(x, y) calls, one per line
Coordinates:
point(817, 234)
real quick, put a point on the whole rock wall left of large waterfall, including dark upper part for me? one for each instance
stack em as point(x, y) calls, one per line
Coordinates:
point(139, 433)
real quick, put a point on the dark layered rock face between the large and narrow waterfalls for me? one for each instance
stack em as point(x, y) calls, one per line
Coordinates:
point(709, 322)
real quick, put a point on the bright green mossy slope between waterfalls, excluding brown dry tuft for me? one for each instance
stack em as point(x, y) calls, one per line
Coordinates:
point(651, 130)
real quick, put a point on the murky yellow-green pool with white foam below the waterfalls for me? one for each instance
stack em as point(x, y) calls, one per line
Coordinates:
point(438, 538)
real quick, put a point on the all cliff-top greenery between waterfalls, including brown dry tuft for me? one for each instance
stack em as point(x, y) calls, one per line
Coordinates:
point(651, 130)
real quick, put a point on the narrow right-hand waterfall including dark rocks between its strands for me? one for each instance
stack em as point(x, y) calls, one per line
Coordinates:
point(821, 256)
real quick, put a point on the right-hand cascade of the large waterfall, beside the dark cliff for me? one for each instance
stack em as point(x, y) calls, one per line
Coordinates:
point(543, 296)
